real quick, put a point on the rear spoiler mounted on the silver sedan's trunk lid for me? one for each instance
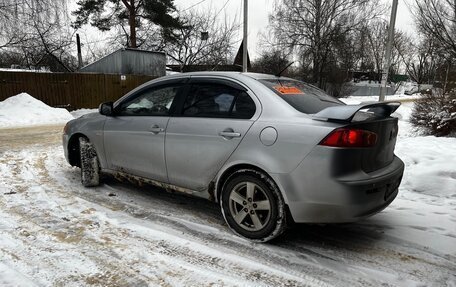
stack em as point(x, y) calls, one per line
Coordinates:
point(346, 113)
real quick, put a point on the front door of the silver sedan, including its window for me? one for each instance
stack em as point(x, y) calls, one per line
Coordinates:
point(134, 137)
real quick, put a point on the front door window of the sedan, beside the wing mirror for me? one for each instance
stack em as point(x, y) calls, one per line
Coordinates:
point(150, 102)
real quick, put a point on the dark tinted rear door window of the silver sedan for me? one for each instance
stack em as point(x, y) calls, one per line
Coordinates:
point(218, 101)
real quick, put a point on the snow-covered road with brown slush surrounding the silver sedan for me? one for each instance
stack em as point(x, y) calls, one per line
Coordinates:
point(54, 232)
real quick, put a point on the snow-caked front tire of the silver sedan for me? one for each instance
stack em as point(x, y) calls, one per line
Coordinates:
point(90, 170)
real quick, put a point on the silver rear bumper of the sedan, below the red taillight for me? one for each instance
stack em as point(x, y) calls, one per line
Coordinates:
point(315, 195)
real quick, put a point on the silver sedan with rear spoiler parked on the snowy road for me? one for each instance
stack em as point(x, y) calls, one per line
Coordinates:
point(268, 149)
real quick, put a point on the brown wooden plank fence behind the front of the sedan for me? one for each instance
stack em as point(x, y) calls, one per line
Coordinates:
point(69, 90)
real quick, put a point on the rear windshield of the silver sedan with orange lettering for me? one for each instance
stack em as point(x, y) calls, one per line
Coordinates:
point(303, 97)
